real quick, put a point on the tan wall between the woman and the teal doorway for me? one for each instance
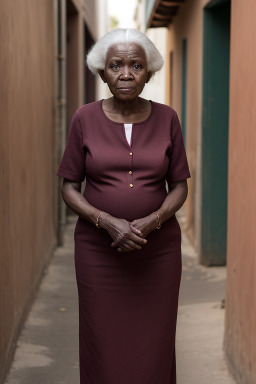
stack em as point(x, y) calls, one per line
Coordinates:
point(188, 24)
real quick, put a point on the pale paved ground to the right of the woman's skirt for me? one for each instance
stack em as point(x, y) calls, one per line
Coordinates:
point(200, 328)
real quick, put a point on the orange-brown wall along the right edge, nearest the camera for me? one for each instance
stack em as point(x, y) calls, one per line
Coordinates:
point(240, 332)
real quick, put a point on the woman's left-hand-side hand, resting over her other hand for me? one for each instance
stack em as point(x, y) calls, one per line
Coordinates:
point(125, 239)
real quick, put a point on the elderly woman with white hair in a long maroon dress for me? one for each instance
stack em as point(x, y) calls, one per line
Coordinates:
point(127, 238)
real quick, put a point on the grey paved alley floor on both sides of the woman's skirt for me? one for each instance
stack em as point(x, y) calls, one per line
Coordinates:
point(47, 351)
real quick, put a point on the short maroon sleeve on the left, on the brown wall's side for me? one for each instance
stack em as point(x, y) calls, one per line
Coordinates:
point(72, 166)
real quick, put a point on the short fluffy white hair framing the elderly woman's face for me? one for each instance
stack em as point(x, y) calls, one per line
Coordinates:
point(96, 57)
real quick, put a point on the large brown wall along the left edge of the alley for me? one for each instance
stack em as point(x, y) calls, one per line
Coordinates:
point(27, 214)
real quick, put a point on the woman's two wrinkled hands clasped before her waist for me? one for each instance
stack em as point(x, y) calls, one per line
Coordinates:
point(129, 236)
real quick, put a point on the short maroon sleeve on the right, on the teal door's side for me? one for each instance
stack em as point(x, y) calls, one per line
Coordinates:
point(178, 169)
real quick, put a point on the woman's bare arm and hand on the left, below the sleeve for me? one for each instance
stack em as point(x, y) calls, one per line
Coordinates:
point(119, 229)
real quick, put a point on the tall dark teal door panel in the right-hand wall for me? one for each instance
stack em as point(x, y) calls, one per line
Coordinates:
point(216, 53)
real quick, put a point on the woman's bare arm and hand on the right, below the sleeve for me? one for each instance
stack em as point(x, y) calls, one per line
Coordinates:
point(172, 203)
